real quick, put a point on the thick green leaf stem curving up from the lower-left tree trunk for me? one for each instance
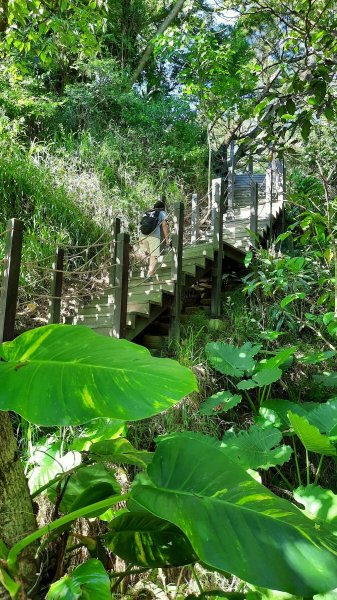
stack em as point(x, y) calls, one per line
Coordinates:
point(76, 514)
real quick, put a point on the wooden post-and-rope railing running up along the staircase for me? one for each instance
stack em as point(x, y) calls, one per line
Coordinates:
point(199, 223)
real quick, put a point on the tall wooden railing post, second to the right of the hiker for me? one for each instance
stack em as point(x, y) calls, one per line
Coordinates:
point(219, 202)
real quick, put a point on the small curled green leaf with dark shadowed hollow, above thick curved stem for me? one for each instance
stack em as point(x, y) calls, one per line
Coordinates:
point(84, 487)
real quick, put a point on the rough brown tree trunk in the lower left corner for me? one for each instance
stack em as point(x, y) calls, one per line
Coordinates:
point(17, 517)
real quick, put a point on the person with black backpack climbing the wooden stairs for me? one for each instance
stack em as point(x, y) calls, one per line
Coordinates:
point(153, 227)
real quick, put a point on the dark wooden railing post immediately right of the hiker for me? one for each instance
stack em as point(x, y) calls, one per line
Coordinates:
point(176, 270)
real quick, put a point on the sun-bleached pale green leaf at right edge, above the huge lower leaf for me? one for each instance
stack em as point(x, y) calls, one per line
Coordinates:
point(319, 504)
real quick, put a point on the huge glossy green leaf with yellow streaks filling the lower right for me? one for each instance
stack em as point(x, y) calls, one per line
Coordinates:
point(234, 523)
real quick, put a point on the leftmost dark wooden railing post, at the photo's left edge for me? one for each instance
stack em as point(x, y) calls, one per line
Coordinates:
point(10, 280)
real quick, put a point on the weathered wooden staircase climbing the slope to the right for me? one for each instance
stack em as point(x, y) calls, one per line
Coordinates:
point(148, 299)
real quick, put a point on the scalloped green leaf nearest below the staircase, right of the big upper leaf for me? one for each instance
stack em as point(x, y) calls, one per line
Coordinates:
point(230, 360)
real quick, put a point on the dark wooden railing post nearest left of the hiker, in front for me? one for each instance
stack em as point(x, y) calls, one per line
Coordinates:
point(121, 282)
